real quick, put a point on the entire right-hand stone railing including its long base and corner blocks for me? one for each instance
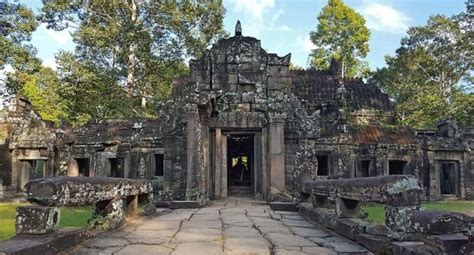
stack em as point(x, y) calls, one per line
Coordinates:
point(336, 204)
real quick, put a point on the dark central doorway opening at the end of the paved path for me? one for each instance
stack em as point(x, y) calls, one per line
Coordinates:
point(240, 161)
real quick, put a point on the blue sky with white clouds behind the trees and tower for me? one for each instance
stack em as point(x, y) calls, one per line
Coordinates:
point(283, 26)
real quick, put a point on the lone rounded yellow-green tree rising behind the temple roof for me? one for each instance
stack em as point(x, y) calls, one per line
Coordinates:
point(341, 35)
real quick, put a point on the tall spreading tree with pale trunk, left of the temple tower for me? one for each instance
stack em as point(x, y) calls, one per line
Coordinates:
point(138, 45)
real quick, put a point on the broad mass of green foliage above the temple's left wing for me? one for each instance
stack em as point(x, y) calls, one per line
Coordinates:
point(128, 52)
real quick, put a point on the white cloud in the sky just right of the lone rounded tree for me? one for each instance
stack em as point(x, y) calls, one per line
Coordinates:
point(384, 18)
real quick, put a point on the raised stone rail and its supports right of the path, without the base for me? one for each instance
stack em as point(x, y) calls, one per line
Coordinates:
point(401, 195)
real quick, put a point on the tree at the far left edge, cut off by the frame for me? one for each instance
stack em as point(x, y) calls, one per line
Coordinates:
point(17, 23)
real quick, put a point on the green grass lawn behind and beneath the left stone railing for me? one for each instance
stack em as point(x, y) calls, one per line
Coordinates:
point(70, 217)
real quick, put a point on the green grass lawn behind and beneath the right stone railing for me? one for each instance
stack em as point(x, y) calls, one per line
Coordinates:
point(377, 212)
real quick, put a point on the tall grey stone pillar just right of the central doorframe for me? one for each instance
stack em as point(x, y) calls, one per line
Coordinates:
point(277, 155)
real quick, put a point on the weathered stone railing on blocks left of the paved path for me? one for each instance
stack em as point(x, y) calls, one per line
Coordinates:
point(113, 198)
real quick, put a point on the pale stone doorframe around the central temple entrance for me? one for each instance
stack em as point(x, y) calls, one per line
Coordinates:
point(218, 161)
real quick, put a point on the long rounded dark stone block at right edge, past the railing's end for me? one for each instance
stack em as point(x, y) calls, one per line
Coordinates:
point(437, 222)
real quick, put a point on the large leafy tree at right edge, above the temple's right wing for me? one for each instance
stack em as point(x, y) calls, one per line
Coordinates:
point(430, 78)
